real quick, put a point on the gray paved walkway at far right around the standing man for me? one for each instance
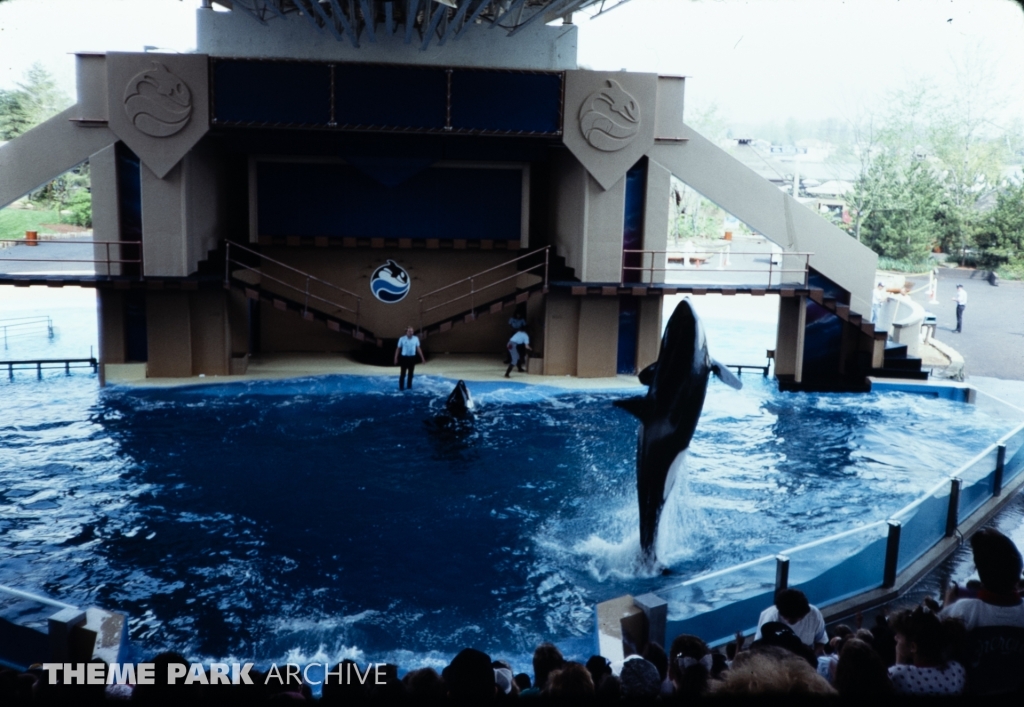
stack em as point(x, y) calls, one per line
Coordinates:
point(993, 343)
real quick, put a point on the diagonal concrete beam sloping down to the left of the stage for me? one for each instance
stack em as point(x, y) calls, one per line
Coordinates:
point(47, 152)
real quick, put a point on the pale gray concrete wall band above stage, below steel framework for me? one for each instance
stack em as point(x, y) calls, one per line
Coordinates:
point(234, 34)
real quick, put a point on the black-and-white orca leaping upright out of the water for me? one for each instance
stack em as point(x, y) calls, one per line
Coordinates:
point(677, 385)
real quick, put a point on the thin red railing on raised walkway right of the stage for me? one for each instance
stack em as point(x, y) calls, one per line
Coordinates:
point(786, 268)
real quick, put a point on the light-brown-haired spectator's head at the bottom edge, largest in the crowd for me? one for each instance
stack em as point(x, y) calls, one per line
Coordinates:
point(772, 671)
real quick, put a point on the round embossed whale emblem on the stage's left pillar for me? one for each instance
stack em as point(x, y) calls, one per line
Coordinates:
point(158, 103)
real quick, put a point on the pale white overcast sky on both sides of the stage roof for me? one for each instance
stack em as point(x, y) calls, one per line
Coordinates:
point(756, 60)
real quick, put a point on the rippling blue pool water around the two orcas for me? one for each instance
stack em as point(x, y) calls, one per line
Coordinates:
point(333, 518)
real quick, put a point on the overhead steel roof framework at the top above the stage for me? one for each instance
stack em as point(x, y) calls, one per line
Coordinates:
point(419, 21)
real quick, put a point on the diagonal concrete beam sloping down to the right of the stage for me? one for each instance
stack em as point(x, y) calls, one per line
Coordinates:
point(754, 200)
